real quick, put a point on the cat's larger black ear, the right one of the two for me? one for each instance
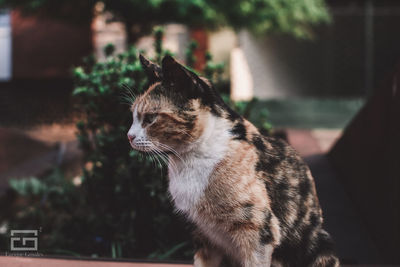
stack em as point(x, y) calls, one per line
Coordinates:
point(177, 76)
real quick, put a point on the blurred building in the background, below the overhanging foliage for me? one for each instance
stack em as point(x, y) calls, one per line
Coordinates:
point(348, 58)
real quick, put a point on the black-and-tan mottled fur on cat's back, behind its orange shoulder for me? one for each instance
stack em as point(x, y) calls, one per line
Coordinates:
point(289, 183)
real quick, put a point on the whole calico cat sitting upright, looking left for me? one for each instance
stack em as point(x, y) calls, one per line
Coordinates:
point(251, 197)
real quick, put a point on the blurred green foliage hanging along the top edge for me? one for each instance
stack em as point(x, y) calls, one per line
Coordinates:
point(292, 17)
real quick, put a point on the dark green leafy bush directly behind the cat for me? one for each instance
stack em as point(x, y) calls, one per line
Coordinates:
point(119, 207)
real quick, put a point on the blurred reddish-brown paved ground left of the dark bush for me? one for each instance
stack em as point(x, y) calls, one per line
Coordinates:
point(25, 153)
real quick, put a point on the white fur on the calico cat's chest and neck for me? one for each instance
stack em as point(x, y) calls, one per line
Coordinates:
point(189, 177)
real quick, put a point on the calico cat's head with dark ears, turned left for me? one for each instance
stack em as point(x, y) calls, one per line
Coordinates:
point(172, 114)
